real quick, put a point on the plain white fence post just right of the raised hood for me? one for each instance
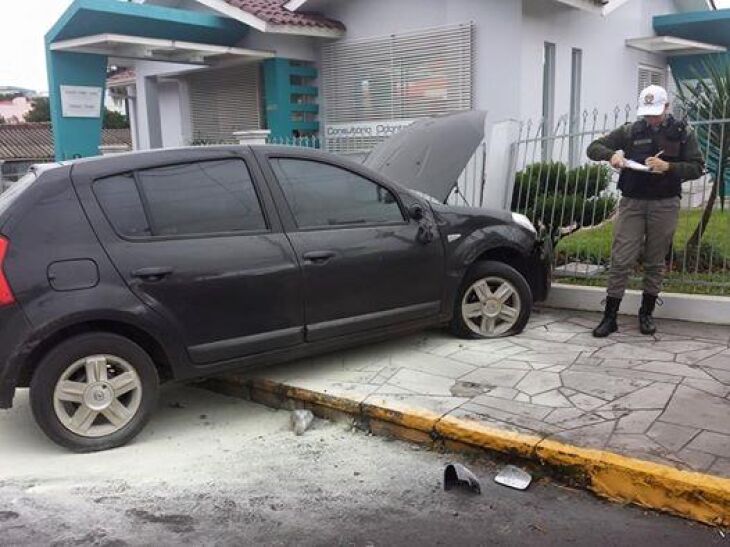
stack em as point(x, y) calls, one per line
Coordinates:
point(499, 179)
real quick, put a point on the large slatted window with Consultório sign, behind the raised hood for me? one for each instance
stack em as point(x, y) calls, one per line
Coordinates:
point(398, 77)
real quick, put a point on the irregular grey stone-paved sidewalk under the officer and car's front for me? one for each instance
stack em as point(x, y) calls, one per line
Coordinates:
point(664, 398)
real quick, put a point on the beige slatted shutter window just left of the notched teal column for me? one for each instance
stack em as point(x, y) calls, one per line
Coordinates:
point(223, 101)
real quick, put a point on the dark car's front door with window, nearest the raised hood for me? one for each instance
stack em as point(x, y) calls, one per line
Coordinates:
point(363, 261)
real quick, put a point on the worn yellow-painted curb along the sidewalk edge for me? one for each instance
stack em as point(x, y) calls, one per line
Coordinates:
point(697, 496)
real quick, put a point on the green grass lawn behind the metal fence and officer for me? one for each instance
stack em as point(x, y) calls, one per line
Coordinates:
point(594, 245)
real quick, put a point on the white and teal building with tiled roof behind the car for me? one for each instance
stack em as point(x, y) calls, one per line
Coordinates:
point(353, 71)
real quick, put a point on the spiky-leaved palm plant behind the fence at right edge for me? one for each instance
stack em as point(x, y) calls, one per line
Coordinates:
point(706, 101)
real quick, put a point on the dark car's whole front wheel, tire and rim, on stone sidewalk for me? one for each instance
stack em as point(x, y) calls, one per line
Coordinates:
point(494, 300)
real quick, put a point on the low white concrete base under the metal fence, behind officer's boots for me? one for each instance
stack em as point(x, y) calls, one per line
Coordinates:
point(685, 307)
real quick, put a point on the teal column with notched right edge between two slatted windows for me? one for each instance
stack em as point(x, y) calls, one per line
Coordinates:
point(285, 113)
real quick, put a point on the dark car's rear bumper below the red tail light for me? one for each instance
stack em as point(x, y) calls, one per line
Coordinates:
point(14, 330)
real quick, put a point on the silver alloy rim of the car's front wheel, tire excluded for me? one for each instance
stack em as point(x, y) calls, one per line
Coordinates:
point(491, 306)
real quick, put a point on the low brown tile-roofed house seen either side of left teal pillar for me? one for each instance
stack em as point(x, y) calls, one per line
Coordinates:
point(22, 145)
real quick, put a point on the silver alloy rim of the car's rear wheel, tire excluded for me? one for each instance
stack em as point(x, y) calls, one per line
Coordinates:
point(97, 396)
